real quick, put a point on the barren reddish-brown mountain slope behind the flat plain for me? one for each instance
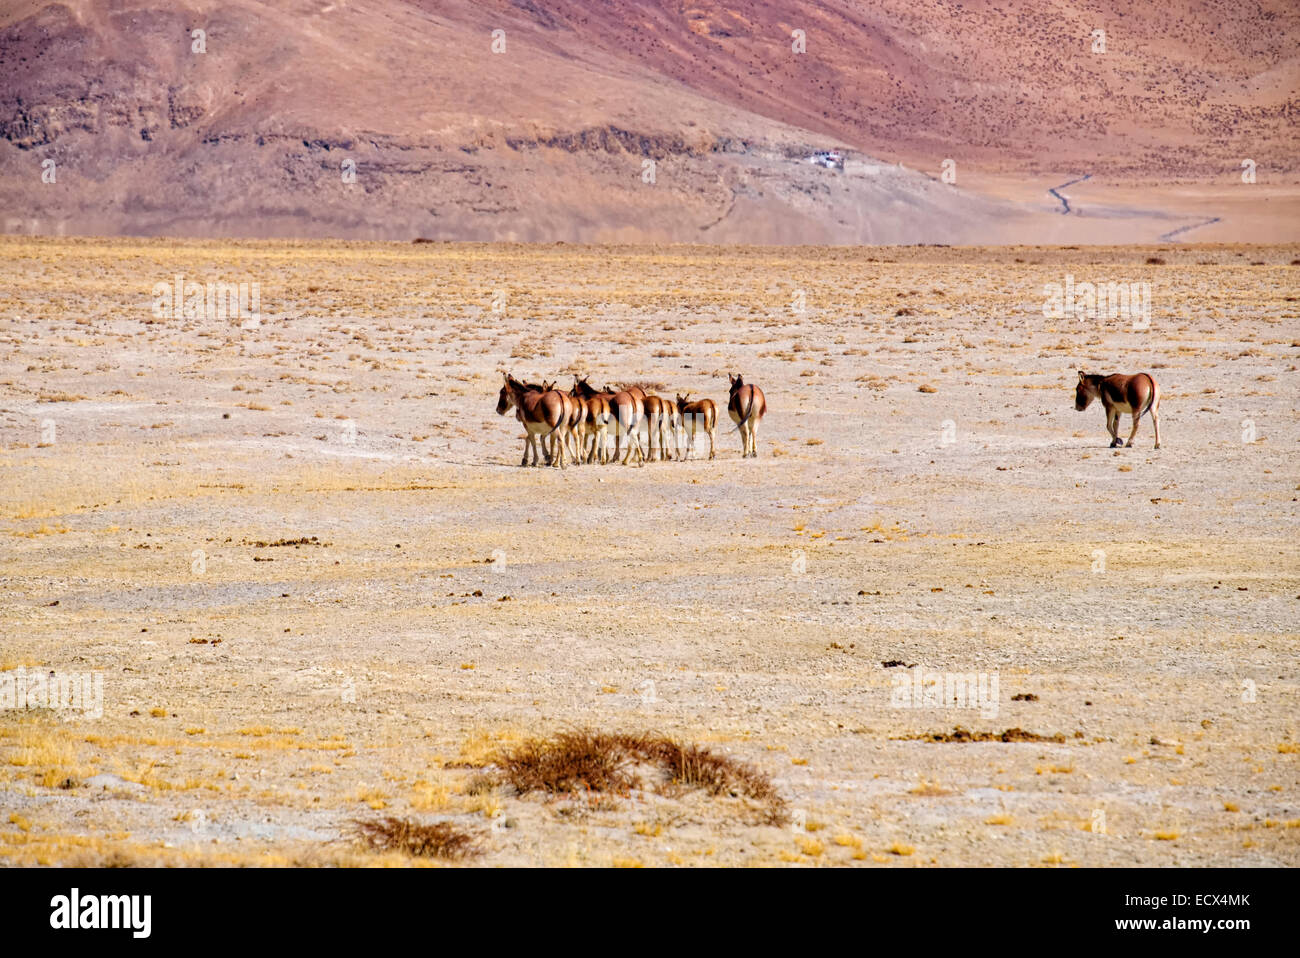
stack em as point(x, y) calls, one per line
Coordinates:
point(549, 136)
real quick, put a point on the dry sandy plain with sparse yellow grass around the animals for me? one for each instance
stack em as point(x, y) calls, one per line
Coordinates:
point(926, 496)
